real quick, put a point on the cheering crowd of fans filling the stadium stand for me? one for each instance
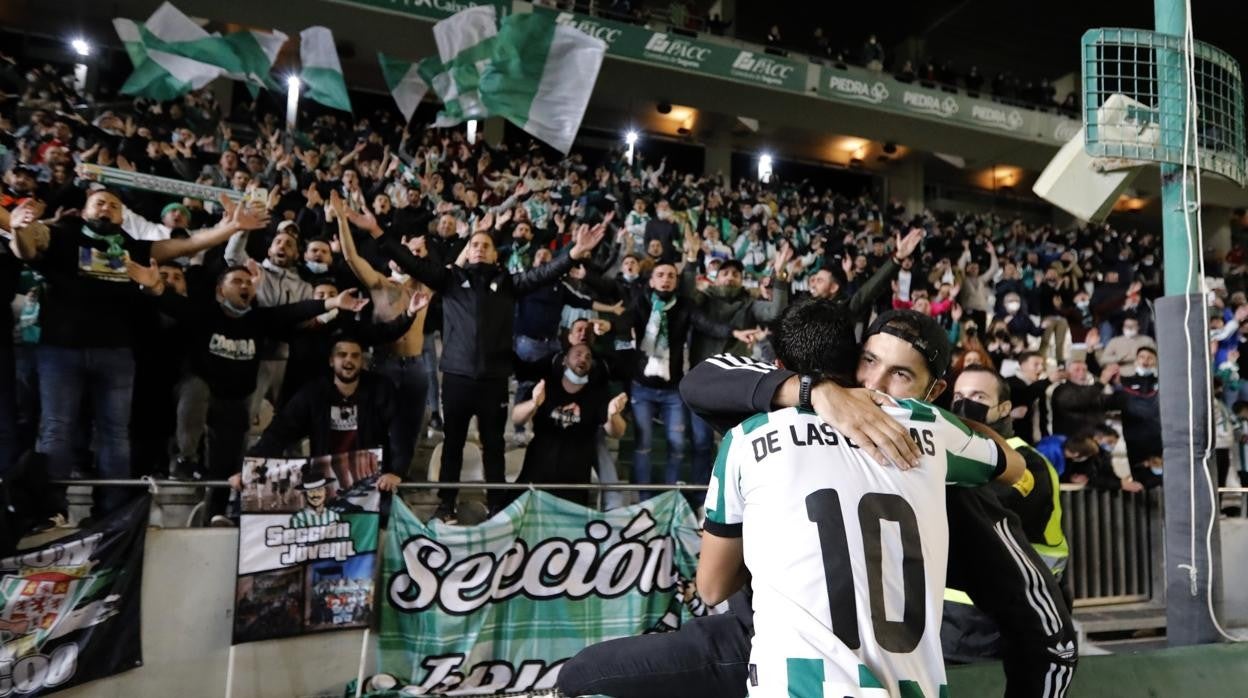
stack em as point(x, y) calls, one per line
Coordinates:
point(376, 278)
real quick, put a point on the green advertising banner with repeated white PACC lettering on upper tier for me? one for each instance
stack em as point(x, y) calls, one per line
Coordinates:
point(672, 51)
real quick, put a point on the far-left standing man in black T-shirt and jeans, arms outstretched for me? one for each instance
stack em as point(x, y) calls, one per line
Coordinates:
point(88, 327)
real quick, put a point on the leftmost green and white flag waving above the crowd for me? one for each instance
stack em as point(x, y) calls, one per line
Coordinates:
point(169, 53)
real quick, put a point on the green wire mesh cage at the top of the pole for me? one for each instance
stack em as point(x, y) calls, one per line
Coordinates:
point(1135, 94)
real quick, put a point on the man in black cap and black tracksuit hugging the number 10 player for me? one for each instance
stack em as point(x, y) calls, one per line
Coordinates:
point(990, 558)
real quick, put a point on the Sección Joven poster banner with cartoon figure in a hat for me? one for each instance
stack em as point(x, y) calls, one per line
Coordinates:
point(308, 545)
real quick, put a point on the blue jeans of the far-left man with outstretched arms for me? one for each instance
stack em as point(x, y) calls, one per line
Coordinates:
point(107, 378)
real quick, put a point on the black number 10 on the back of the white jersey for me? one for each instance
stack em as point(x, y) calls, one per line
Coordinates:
point(824, 509)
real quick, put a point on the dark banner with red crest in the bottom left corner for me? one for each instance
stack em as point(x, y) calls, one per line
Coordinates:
point(69, 611)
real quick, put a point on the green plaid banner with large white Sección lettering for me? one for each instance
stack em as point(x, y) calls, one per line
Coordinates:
point(500, 607)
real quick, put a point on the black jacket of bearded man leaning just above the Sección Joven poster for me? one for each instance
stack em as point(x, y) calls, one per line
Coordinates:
point(308, 416)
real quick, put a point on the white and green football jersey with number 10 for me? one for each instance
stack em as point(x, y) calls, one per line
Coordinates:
point(847, 556)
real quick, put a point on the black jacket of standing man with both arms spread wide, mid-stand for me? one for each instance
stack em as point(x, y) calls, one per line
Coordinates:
point(479, 308)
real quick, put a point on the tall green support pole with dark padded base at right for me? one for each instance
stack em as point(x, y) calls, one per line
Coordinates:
point(1184, 359)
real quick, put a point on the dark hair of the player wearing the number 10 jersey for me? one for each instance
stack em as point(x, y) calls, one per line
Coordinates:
point(817, 337)
